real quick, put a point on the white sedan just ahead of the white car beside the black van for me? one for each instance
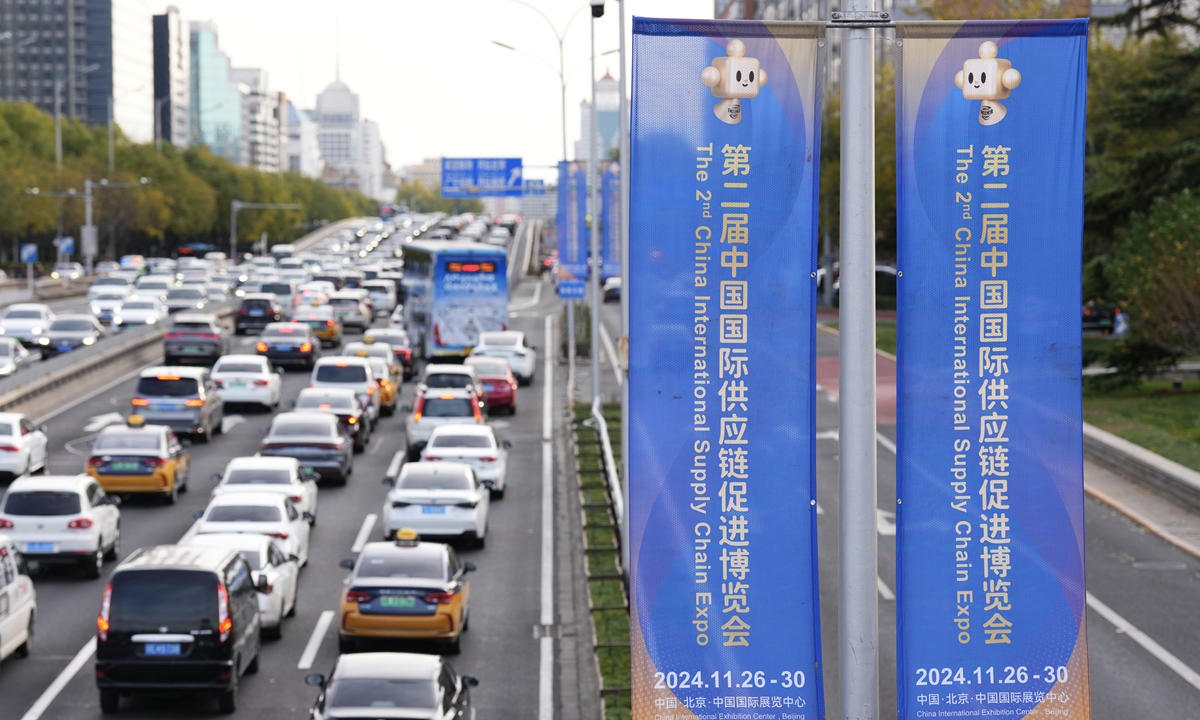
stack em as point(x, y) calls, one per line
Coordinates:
point(259, 513)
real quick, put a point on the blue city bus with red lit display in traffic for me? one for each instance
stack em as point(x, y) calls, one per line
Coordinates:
point(454, 291)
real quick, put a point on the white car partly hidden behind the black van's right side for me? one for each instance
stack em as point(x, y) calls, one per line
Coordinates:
point(266, 560)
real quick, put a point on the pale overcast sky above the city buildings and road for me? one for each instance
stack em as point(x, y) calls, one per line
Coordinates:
point(427, 70)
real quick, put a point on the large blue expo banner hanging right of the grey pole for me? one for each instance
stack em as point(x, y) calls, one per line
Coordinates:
point(991, 459)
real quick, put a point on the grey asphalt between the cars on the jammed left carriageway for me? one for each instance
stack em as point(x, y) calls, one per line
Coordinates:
point(500, 649)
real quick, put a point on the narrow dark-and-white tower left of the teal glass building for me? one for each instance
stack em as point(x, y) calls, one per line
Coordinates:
point(172, 79)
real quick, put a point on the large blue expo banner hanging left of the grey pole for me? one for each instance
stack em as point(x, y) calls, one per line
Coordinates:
point(723, 495)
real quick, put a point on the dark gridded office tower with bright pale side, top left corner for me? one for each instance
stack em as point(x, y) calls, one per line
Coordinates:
point(89, 53)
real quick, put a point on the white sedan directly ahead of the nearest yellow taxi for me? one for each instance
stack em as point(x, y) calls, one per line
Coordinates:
point(439, 499)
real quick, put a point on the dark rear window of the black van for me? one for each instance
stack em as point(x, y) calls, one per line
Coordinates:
point(151, 599)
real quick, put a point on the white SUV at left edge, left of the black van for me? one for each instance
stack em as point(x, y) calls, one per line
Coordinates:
point(63, 520)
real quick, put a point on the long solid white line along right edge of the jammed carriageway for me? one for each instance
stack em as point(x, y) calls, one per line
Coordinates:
point(547, 665)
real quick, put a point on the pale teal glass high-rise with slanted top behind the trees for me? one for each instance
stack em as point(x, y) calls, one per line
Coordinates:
point(217, 116)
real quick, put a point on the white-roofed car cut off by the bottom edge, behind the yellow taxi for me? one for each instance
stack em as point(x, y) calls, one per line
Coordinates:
point(369, 685)
